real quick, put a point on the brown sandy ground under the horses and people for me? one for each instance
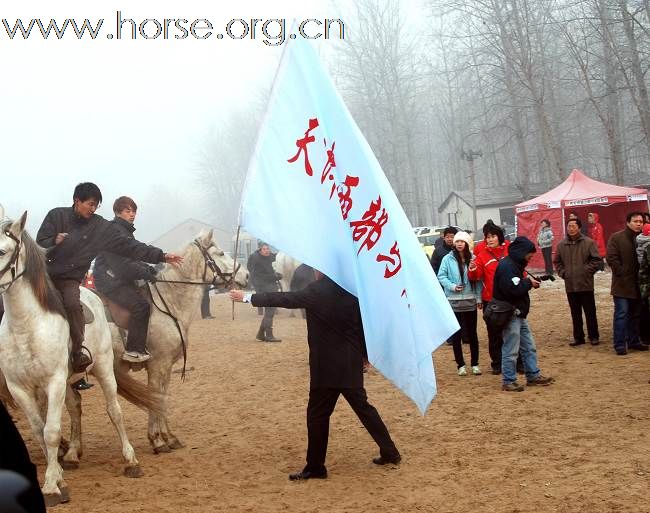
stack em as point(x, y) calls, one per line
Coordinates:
point(579, 445)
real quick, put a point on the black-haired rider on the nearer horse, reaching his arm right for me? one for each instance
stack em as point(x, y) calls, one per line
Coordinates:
point(72, 238)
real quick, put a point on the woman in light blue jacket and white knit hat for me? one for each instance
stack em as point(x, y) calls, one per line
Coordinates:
point(464, 297)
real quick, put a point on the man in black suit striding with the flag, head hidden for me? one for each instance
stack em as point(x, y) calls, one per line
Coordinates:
point(336, 347)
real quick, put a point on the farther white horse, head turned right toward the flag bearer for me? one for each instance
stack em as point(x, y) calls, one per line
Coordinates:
point(176, 300)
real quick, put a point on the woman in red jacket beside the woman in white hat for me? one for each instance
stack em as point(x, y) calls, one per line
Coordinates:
point(483, 268)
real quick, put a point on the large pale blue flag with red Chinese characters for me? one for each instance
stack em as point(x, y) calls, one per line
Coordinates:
point(316, 191)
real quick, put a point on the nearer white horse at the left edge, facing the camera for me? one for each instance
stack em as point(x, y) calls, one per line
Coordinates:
point(34, 350)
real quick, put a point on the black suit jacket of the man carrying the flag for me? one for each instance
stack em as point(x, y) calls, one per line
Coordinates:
point(334, 331)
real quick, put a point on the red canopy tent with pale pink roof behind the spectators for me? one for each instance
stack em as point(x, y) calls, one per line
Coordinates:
point(579, 194)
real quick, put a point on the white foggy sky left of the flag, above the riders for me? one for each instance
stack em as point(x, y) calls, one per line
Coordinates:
point(128, 115)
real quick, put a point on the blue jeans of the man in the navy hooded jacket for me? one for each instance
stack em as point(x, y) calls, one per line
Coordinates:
point(517, 335)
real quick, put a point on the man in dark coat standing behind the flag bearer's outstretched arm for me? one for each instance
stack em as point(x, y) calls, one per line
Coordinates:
point(264, 279)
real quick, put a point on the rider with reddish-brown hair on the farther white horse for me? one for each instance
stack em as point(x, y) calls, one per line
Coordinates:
point(115, 276)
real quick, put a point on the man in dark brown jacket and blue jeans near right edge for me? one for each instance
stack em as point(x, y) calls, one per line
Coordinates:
point(621, 257)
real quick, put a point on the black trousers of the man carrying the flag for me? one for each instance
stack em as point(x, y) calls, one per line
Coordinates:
point(319, 409)
